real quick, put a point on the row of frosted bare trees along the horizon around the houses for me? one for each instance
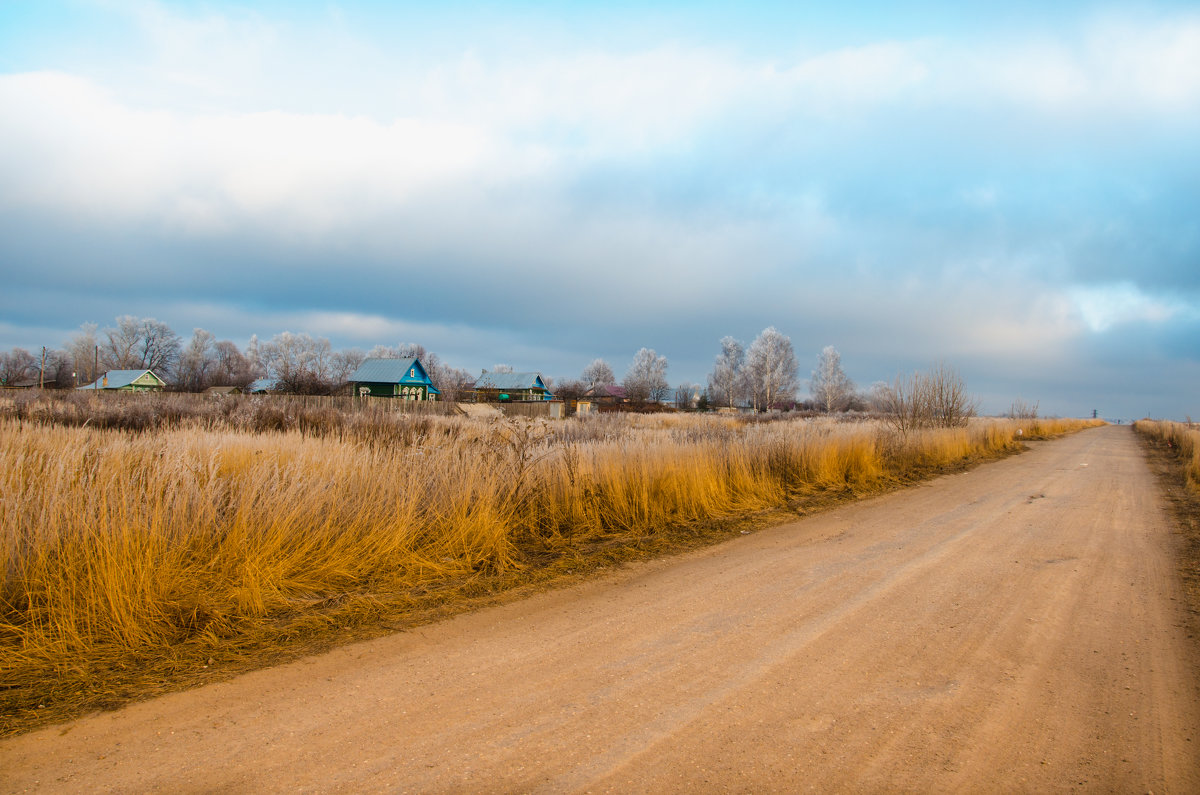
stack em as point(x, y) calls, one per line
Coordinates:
point(761, 376)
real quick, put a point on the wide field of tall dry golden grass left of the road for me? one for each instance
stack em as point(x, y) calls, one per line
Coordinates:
point(125, 553)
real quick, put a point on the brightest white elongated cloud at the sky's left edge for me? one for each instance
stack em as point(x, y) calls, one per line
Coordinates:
point(69, 146)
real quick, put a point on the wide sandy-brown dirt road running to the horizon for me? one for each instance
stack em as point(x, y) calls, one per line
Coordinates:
point(1011, 629)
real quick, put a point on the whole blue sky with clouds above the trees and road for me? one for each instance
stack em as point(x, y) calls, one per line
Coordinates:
point(1012, 192)
